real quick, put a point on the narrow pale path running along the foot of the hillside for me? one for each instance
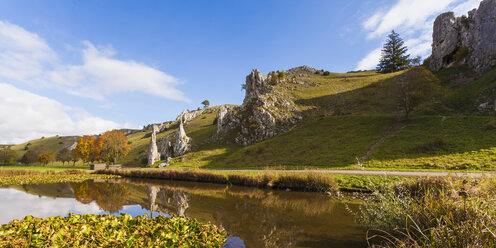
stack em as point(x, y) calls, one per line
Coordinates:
point(388, 173)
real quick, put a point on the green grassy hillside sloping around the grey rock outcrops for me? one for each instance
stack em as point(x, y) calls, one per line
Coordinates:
point(349, 115)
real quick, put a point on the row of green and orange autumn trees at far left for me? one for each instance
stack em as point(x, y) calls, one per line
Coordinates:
point(107, 147)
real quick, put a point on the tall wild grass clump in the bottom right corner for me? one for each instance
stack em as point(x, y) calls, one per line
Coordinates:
point(433, 212)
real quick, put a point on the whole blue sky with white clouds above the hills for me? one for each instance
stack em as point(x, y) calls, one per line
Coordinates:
point(83, 67)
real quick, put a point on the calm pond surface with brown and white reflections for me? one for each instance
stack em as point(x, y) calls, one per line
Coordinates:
point(252, 217)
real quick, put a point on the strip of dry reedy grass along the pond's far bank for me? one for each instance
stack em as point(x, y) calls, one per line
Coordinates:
point(279, 180)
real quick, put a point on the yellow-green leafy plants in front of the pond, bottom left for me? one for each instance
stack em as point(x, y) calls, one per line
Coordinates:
point(109, 231)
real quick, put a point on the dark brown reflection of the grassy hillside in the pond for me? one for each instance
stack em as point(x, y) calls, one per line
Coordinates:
point(261, 218)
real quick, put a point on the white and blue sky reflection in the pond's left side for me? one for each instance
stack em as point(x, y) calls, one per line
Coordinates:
point(16, 204)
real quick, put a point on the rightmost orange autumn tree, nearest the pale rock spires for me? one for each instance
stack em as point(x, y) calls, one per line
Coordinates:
point(114, 144)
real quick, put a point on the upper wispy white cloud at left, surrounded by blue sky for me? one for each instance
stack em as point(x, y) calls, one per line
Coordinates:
point(27, 58)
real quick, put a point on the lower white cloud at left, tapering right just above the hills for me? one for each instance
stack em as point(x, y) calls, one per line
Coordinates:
point(25, 116)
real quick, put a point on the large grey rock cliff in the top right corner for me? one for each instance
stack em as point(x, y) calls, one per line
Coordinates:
point(469, 40)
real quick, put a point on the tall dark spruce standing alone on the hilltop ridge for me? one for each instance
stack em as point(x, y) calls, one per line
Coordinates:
point(394, 55)
